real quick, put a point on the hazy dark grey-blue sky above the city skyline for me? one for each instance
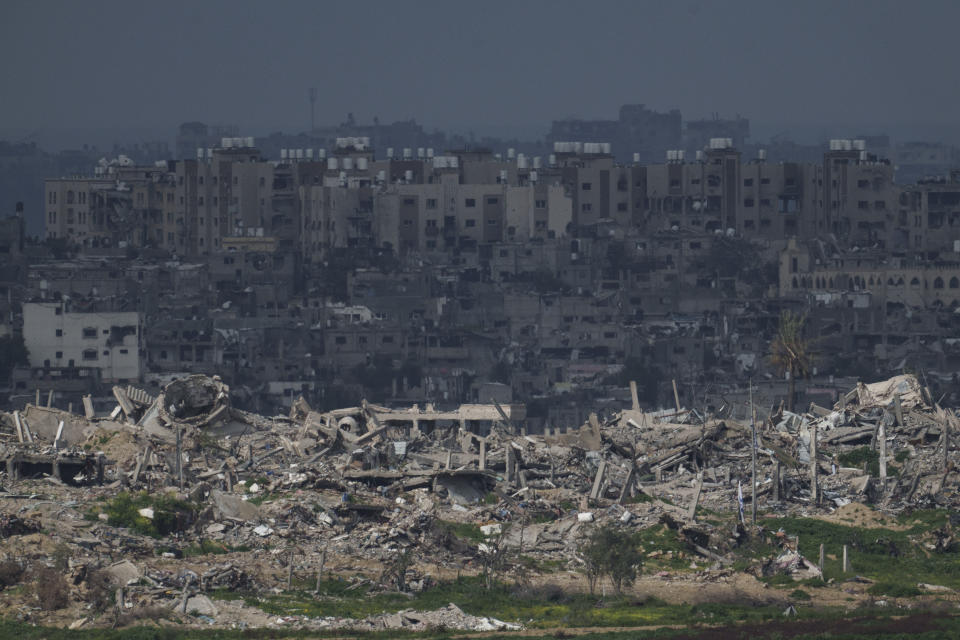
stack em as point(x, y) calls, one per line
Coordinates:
point(101, 64)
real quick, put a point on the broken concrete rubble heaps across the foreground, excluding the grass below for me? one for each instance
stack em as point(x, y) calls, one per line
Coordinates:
point(179, 496)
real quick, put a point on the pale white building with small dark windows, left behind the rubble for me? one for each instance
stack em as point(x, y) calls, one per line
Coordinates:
point(108, 342)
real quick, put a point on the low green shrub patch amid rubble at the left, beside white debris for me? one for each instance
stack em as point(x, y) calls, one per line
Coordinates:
point(169, 513)
